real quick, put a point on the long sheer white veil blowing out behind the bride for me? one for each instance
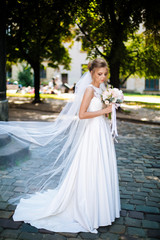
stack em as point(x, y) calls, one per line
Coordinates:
point(49, 147)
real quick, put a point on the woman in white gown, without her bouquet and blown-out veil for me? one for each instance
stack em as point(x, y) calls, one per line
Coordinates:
point(88, 194)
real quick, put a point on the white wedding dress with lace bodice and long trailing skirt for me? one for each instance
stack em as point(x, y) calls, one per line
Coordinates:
point(89, 195)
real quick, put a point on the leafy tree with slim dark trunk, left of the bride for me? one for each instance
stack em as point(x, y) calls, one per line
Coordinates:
point(36, 31)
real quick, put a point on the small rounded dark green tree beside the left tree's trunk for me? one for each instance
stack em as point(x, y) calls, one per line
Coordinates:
point(25, 77)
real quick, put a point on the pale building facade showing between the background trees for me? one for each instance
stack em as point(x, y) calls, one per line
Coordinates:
point(79, 60)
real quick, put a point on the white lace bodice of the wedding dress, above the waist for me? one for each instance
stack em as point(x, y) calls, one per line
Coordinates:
point(96, 103)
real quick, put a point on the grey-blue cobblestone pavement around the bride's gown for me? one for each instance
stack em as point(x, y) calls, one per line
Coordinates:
point(138, 159)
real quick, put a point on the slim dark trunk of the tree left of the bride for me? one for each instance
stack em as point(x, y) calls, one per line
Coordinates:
point(36, 69)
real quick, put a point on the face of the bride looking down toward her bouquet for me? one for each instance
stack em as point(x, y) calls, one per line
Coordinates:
point(99, 75)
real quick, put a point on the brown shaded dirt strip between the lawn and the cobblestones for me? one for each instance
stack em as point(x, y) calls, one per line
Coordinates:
point(22, 109)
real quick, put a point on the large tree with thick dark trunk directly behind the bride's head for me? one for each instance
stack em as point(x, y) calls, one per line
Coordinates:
point(105, 26)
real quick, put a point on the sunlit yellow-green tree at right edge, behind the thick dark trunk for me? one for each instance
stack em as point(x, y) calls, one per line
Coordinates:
point(142, 58)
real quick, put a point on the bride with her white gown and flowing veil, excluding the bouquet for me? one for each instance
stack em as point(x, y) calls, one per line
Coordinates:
point(79, 188)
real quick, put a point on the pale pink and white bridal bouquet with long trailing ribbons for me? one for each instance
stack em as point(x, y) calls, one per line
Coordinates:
point(115, 97)
